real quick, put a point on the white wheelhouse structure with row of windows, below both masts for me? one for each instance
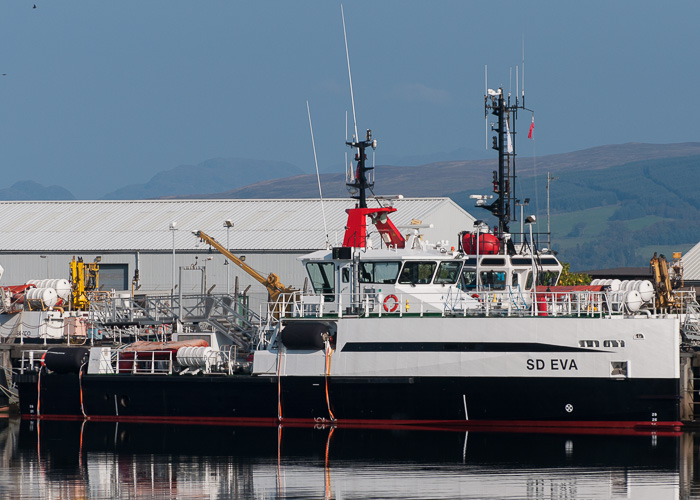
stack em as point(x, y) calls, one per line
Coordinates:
point(426, 276)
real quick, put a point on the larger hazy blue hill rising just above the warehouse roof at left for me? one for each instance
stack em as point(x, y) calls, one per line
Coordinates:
point(206, 177)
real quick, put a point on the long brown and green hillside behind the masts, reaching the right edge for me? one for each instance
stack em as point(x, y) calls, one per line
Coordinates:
point(611, 206)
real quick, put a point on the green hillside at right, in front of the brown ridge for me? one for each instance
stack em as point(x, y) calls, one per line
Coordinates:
point(620, 215)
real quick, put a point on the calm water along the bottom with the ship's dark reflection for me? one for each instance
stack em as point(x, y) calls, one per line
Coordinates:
point(109, 460)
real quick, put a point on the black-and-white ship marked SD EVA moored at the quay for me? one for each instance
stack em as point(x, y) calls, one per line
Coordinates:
point(403, 332)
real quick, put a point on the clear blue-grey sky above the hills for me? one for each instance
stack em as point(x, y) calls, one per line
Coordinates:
point(100, 94)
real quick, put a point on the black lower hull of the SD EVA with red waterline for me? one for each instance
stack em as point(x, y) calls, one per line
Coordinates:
point(549, 402)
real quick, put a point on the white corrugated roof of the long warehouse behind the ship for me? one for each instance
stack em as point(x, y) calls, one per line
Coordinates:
point(49, 226)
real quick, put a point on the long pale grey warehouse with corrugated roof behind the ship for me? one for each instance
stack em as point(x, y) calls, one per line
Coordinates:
point(38, 239)
